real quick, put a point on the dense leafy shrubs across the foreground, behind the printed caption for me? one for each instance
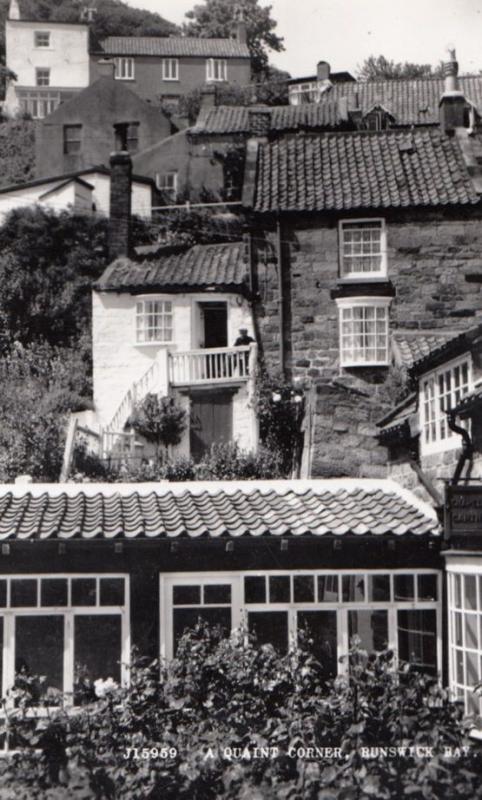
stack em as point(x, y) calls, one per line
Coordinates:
point(227, 719)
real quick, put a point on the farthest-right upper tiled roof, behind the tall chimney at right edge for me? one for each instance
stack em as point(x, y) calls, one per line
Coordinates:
point(410, 102)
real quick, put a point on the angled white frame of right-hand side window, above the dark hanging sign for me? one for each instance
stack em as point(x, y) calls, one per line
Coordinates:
point(436, 435)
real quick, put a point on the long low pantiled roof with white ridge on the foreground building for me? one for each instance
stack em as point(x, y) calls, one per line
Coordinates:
point(253, 509)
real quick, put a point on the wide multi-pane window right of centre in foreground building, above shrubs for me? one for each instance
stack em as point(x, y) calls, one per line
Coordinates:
point(383, 608)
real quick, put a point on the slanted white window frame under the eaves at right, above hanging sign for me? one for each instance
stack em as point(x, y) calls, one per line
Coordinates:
point(452, 441)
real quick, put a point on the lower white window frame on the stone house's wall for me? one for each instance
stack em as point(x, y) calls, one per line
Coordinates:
point(349, 303)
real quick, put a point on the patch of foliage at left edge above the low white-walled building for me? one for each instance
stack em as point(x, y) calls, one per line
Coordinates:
point(17, 151)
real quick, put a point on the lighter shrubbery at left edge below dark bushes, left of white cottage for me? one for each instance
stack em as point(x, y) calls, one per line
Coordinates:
point(40, 385)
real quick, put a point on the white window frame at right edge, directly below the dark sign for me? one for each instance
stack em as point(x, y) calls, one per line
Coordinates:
point(458, 568)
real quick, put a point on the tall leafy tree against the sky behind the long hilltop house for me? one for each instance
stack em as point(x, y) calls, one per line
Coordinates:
point(216, 18)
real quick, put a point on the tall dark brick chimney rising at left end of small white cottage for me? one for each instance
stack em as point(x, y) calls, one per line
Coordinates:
point(120, 204)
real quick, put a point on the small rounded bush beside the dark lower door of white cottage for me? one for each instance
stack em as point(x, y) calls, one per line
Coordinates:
point(159, 420)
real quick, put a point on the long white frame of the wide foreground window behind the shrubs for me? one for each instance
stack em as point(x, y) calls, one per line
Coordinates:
point(239, 609)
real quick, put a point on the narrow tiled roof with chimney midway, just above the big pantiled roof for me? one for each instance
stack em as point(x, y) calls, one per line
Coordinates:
point(235, 119)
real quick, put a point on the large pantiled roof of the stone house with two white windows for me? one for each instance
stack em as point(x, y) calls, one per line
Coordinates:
point(344, 171)
